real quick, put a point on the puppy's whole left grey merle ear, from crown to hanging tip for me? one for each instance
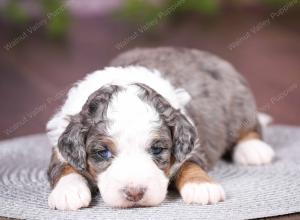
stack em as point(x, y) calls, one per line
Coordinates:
point(71, 143)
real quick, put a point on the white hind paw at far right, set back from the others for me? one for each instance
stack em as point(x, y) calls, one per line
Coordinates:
point(253, 152)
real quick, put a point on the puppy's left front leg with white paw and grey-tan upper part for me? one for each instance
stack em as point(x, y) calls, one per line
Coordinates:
point(70, 189)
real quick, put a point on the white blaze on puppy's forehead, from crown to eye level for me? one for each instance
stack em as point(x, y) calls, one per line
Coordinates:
point(132, 121)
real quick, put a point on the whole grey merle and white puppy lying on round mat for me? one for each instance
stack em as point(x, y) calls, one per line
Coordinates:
point(154, 117)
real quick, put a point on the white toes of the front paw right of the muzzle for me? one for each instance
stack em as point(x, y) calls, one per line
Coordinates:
point(202, 193)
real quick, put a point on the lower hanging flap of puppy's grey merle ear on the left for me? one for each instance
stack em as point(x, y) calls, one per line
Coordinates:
point(71, 143)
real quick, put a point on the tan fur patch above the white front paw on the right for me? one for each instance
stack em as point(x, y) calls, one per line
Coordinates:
point(191, 173)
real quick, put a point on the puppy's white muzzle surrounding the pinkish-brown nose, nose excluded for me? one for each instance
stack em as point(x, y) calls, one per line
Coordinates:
point(134, 173)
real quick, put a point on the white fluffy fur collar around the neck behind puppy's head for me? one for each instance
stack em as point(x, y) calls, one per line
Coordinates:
point(78, 95)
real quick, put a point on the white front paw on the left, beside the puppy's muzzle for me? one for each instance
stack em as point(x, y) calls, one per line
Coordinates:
point(70, 193)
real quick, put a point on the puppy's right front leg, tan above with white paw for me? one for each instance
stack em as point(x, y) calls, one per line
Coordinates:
point(195, 186)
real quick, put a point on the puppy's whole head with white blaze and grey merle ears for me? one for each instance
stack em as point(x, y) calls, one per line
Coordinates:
point(127, 138)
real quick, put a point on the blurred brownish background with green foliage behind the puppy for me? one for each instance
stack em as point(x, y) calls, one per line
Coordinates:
point(46, 45)
